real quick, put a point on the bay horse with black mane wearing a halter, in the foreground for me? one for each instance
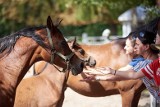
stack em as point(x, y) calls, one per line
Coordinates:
point(27, 46)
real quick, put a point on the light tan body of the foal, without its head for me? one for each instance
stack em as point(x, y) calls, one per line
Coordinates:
point(43, 90)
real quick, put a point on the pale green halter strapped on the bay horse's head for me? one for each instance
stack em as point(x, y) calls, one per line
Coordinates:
point(66, 58)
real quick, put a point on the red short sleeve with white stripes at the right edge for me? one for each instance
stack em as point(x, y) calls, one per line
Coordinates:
point(150, 69)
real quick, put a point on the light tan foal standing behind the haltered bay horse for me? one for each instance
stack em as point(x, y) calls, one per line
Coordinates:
point(46, 89)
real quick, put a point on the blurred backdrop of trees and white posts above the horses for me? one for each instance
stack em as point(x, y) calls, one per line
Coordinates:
point(81, 18)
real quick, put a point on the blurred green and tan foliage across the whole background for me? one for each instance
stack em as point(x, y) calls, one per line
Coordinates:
point(17, 14)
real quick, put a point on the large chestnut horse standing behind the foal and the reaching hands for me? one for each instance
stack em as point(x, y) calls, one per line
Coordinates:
point(112, 55)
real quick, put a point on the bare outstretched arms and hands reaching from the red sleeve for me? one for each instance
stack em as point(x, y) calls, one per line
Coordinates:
point(119, 75)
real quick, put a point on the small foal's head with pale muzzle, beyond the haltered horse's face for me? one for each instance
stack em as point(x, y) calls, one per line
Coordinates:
point(80, 52)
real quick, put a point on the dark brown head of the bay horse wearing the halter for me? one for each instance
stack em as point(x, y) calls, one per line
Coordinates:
point(60, 53)
